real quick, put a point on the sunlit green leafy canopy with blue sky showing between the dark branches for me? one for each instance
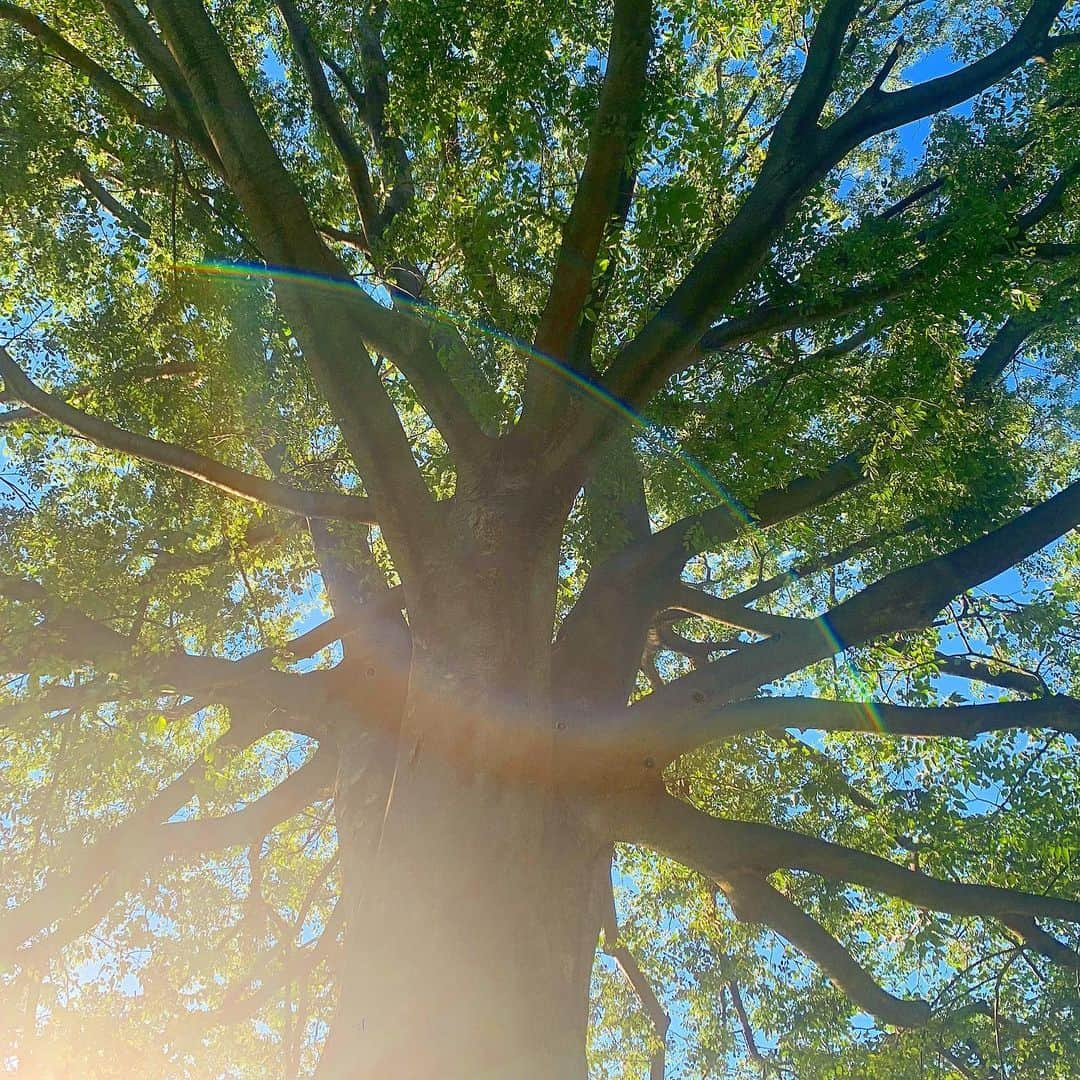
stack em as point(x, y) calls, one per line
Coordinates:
point(494, 101)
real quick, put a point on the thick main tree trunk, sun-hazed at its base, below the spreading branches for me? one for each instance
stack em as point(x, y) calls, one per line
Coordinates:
point(471, 881)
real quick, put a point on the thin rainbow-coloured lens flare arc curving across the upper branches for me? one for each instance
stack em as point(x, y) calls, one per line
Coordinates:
point(580, 384)
